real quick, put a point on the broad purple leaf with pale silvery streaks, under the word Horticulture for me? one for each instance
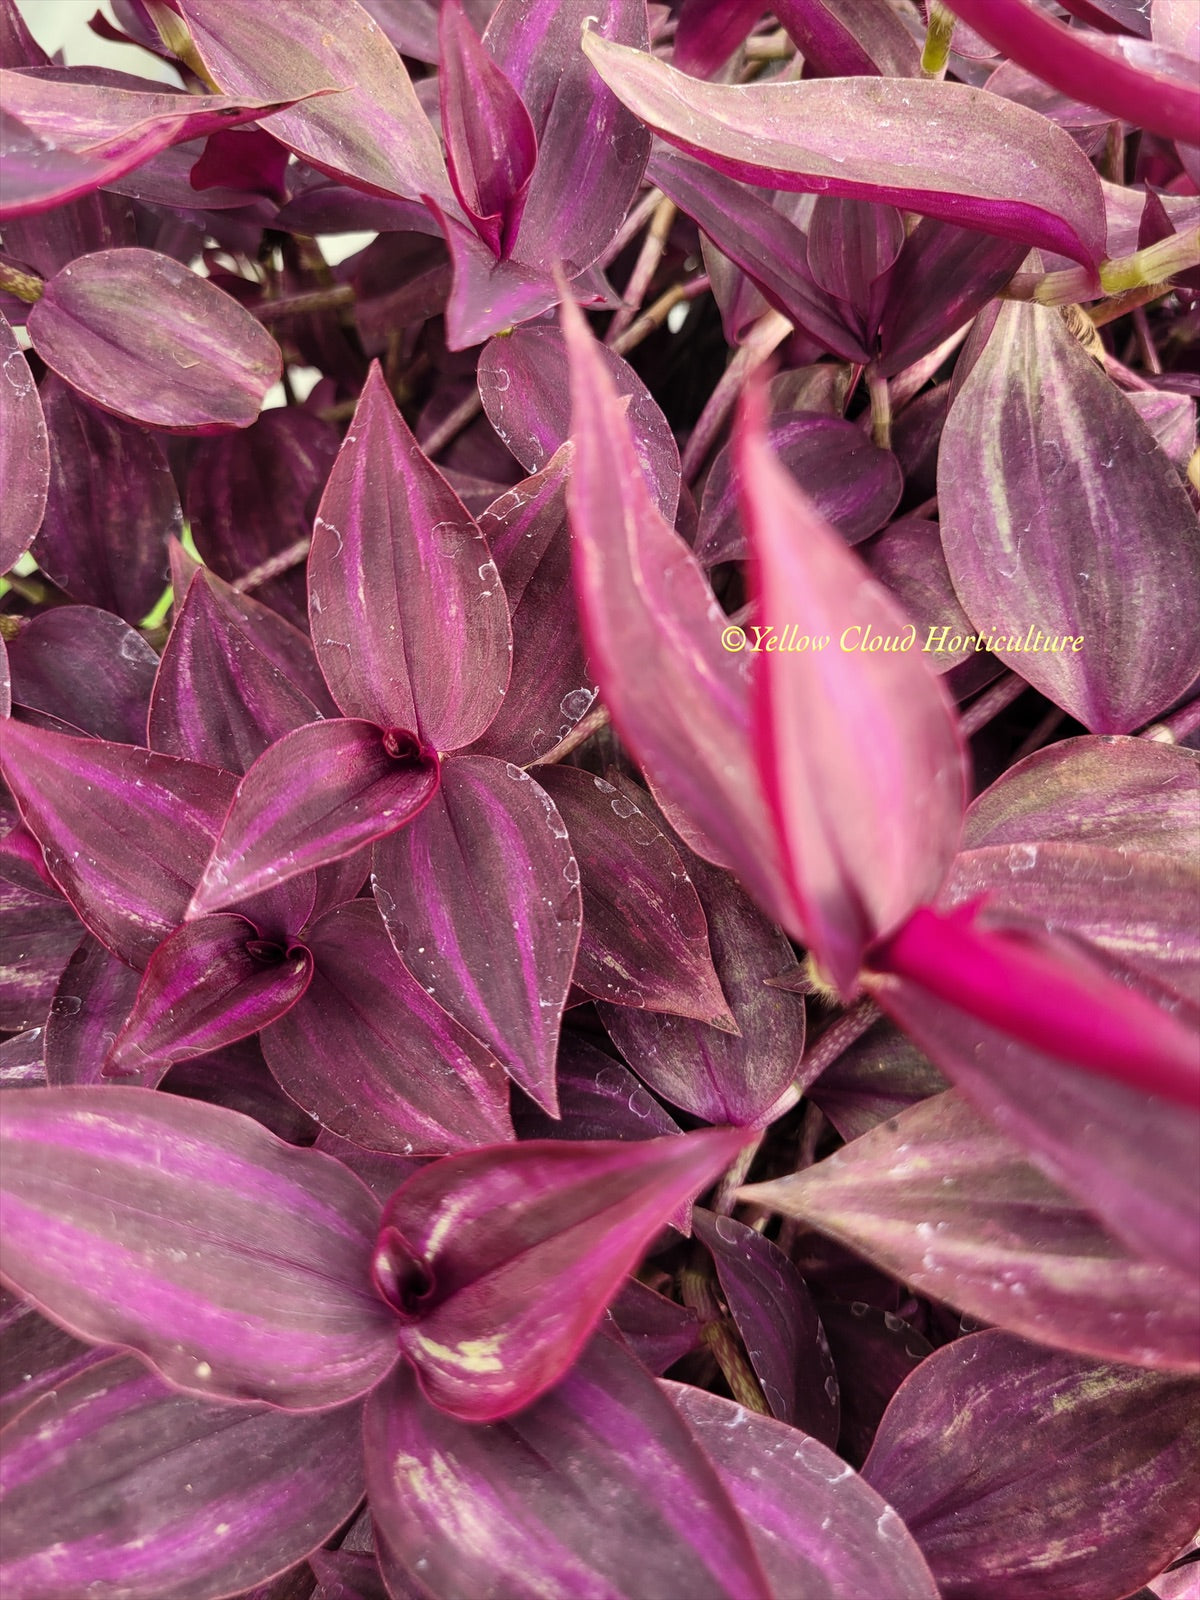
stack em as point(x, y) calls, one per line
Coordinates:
point(1066, 530)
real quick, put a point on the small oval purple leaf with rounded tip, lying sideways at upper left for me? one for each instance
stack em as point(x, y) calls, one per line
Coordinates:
point(199, 366)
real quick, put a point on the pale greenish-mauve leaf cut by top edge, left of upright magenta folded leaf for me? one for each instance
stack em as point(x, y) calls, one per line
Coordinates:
point(374, 134)
